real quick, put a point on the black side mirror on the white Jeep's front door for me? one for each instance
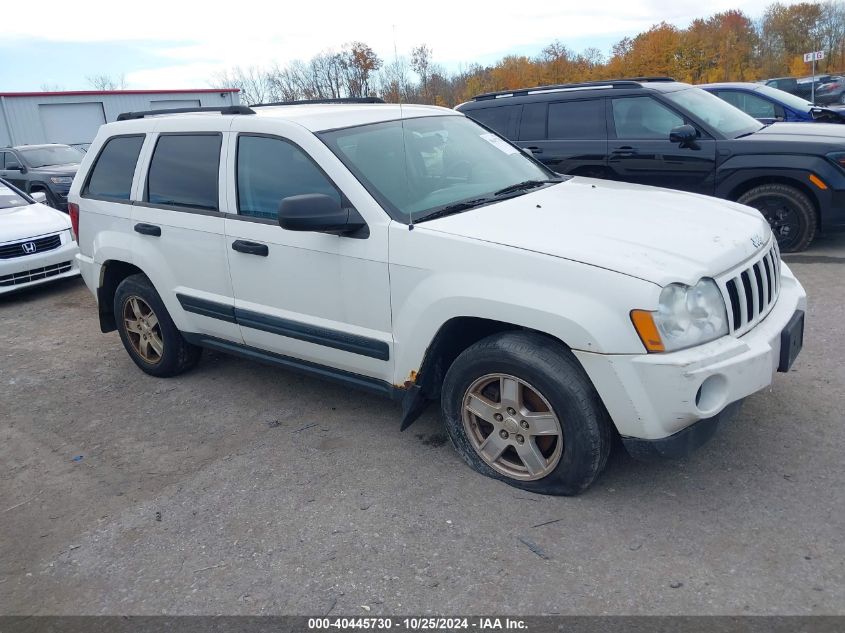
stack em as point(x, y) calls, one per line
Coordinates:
point(319, 213)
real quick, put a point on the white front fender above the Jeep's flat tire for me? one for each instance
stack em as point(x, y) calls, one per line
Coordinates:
point(585, 307)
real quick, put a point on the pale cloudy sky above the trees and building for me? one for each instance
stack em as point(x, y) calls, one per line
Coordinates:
point(159, 44)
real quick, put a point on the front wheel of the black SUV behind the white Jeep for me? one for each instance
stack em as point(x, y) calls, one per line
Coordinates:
point(788, 211)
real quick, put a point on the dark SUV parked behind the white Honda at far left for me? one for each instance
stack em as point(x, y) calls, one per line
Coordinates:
point(47, 168)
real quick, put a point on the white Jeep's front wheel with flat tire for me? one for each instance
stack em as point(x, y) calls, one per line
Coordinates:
point(552, 389)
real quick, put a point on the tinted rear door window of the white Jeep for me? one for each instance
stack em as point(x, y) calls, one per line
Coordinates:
point(184, 171)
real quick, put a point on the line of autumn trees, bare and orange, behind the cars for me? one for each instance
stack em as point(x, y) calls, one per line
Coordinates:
point(727, 46)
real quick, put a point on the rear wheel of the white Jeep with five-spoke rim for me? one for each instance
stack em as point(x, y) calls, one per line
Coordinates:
point(148, 333)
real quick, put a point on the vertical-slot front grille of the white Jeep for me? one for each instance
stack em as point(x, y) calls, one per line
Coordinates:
point(751, 290)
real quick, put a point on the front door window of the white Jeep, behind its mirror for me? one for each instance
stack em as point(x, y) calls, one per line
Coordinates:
point(270, 169)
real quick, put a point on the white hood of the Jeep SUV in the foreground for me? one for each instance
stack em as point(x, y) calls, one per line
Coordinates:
point(658, 235)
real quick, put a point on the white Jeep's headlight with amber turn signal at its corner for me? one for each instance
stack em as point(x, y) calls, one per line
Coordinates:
point(686, 316)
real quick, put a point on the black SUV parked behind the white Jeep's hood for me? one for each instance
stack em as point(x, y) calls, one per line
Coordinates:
point(656, 131)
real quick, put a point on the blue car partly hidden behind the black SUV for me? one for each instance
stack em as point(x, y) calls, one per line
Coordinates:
point(769, 105)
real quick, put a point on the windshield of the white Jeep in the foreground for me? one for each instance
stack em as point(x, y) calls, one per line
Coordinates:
point(438, 161)
